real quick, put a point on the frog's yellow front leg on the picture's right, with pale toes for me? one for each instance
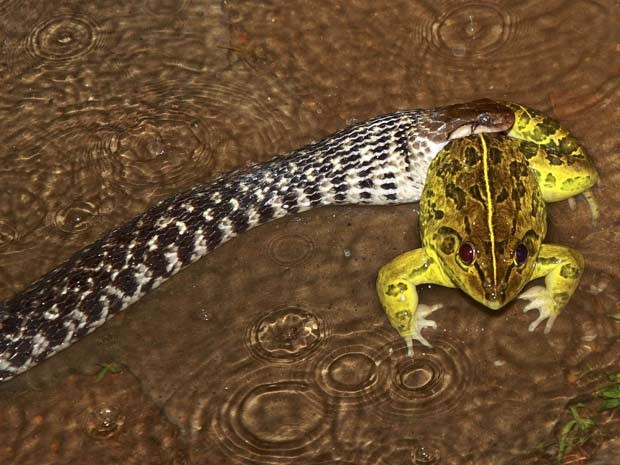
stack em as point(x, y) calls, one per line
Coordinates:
point(562, 268)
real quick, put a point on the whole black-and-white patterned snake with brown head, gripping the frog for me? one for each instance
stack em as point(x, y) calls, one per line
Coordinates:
point(381, 161)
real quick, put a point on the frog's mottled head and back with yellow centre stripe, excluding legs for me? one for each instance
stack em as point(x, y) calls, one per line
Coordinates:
point(483, 217)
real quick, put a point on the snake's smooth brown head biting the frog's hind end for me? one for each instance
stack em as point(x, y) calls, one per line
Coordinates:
point(479, 116)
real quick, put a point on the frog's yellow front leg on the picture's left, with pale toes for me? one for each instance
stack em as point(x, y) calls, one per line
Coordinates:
point(396, 288)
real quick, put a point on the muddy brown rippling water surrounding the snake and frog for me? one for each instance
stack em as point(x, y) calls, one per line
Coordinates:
point(274, 349)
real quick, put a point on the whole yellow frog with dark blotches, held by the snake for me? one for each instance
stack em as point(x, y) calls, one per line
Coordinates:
point(483, 221)
